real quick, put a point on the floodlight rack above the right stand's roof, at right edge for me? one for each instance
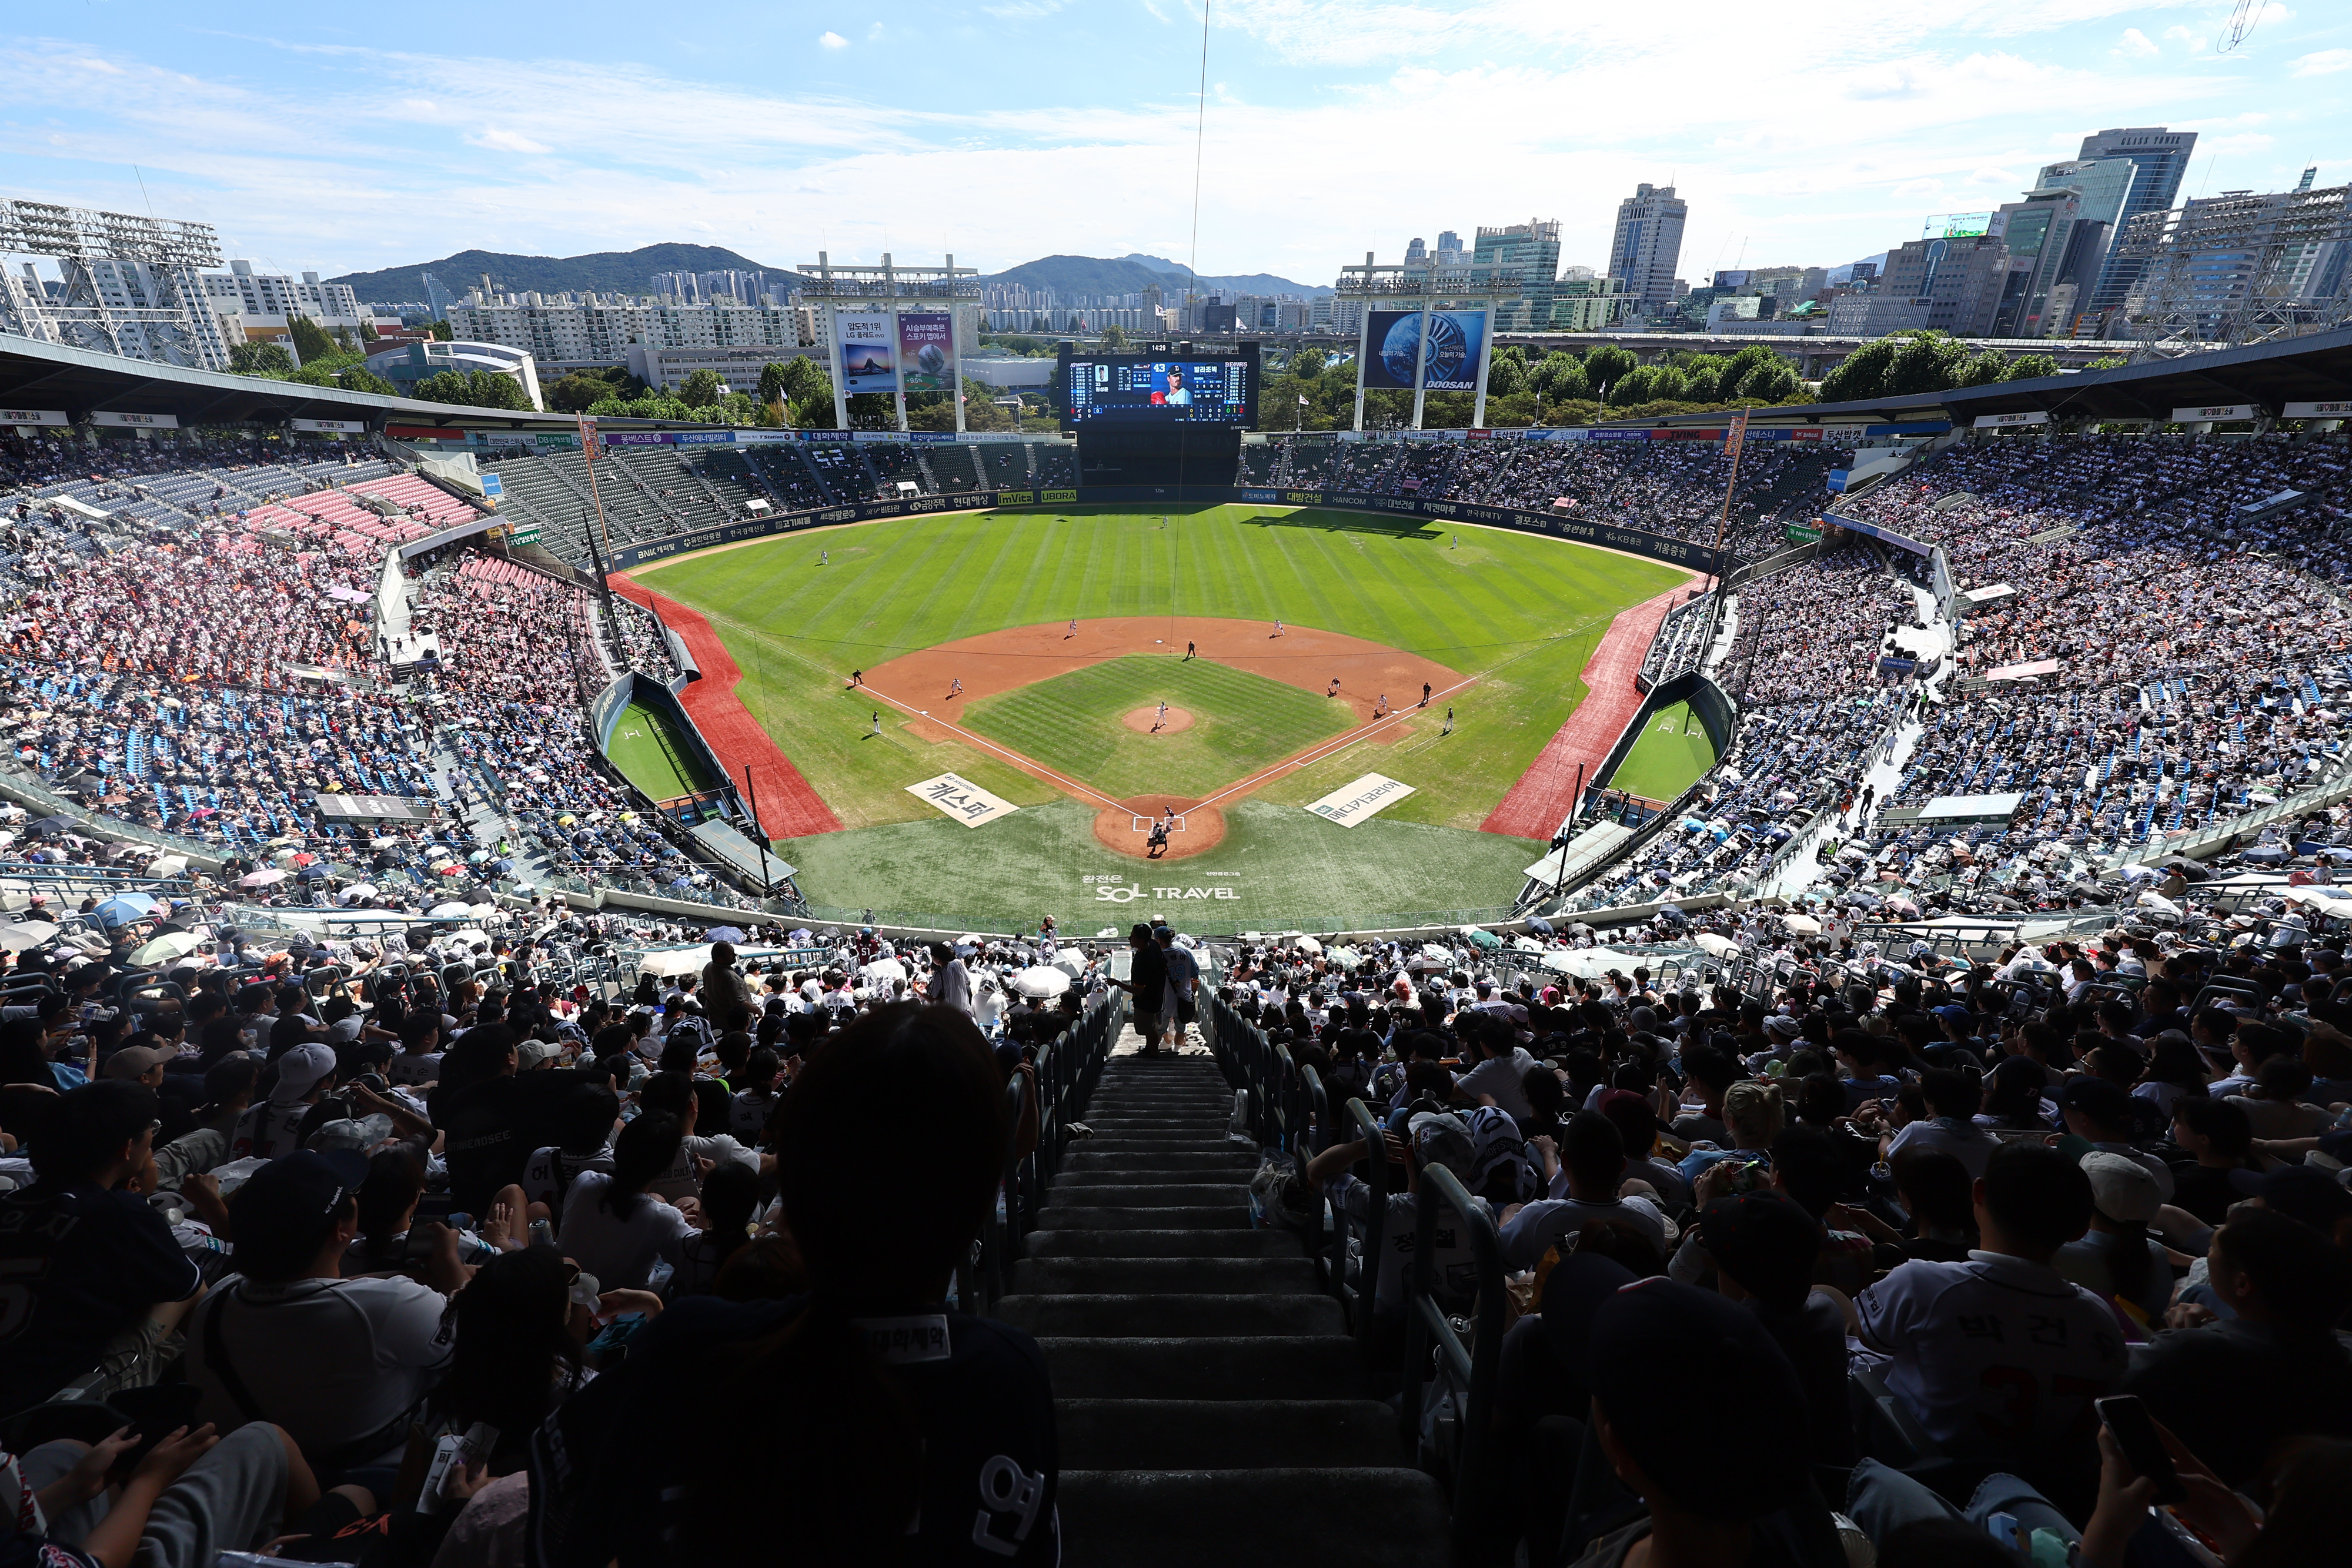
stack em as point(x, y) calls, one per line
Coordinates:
point(2240, 269)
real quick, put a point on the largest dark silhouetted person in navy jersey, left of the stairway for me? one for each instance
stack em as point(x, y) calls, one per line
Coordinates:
point(864, 1423)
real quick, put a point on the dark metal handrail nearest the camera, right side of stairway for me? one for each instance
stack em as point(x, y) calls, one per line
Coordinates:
point(1426, 1325)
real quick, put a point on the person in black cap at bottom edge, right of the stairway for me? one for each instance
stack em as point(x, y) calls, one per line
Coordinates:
point(1659, 1351)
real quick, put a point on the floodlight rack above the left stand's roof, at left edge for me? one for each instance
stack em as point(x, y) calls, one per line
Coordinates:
point(131, 286)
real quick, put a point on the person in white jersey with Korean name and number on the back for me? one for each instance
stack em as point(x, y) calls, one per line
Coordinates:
point(2000, 1358)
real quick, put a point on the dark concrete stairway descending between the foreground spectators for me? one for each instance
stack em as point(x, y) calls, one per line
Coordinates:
point(1212, 1405)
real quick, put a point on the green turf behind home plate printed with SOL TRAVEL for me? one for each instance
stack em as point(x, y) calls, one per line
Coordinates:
point(1278, 866)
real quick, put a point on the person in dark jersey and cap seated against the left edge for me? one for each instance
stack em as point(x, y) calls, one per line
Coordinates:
point(93, 1275)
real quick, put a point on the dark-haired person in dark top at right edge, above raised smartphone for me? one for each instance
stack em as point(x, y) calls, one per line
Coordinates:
point(2273, 1372)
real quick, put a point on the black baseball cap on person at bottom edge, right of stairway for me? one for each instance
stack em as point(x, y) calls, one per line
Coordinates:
point(1662, 1351)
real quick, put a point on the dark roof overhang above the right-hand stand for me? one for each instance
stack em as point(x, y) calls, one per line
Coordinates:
point(2264, 375)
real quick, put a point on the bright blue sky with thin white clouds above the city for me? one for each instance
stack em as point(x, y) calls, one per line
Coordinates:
point(338, 140)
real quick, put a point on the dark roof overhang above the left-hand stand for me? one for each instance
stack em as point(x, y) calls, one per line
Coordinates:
point(83, 382)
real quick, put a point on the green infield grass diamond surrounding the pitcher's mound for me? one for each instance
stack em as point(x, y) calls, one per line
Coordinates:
point(1076, 725)
